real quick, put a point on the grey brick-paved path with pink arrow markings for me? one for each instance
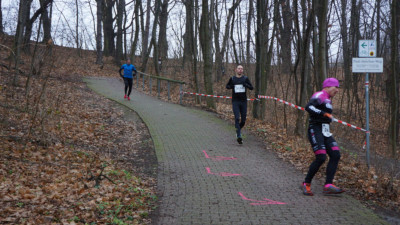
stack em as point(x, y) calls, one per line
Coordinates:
point(205, 177)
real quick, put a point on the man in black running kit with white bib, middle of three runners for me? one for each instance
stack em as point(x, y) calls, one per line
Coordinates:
point(239, 84)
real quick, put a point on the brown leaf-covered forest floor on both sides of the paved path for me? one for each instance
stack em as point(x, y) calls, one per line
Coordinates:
point(57, 169)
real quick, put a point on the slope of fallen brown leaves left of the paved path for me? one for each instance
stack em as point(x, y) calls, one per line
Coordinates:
point(68, 155)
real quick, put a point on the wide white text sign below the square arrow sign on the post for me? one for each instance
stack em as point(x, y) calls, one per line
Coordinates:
point(367, 65)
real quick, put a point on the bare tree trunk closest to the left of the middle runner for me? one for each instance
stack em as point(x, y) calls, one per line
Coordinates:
point(206, 42)
